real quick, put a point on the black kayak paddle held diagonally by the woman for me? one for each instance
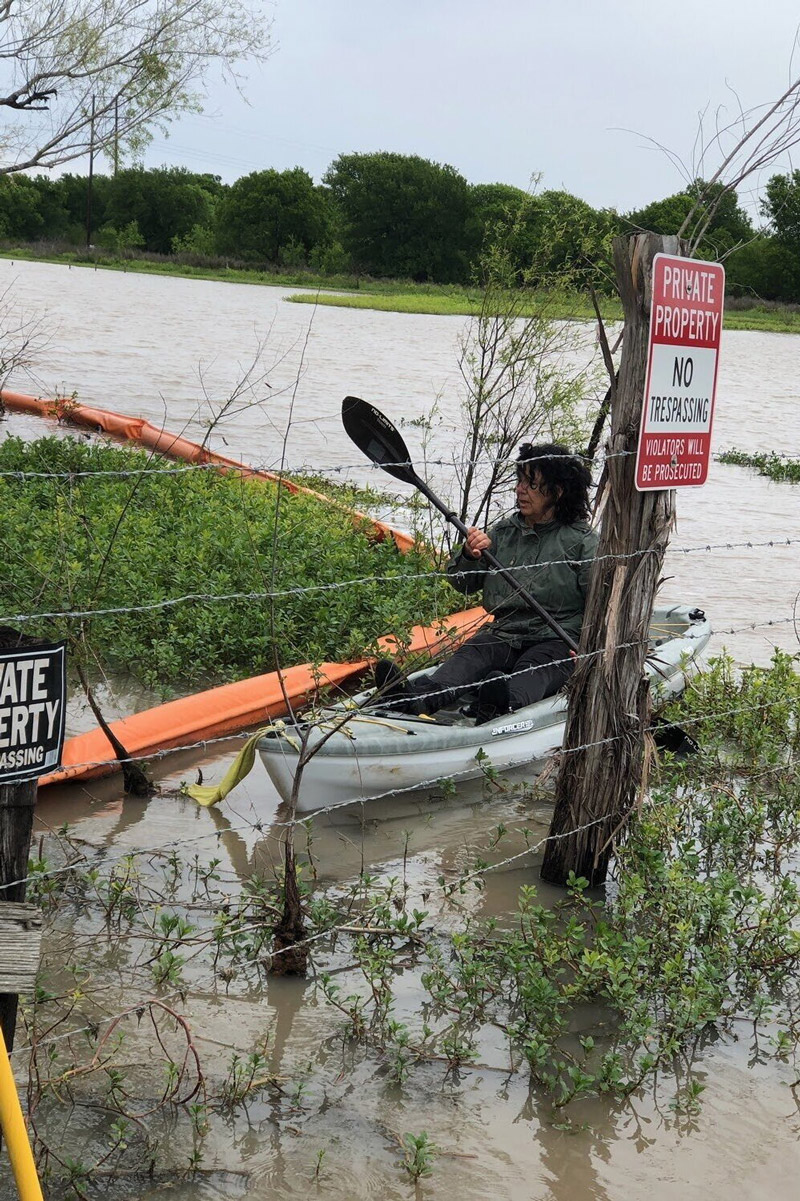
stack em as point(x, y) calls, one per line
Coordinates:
point(377, 437)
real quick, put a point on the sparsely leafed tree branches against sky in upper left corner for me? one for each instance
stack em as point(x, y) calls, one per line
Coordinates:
point(106, 73)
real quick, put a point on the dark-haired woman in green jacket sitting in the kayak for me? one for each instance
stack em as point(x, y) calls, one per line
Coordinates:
point(548, 545)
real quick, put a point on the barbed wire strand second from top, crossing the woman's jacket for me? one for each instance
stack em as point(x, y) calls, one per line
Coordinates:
point(399, 578)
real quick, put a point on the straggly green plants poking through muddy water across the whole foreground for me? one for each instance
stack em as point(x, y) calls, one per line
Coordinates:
point(592, 996)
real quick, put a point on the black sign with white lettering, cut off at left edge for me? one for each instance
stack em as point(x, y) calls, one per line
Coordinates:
point(33, 698)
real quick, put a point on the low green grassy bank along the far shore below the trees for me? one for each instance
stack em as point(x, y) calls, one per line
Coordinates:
point(386, 296)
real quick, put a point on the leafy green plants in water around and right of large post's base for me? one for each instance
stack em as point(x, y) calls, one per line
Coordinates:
point(701, 929)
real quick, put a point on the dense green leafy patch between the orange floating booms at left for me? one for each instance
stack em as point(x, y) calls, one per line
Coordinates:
point(105, 542)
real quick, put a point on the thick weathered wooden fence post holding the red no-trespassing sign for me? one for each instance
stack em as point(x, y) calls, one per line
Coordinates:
point(602, 764)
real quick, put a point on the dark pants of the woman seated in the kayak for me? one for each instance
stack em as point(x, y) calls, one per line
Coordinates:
point(535, 672)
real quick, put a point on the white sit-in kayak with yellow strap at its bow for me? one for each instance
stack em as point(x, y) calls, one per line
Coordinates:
point(367, 750)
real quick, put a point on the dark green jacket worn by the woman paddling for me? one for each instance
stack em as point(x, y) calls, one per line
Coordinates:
point(553, 561)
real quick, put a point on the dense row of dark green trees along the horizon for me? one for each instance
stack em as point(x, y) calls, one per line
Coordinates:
point(395, 217)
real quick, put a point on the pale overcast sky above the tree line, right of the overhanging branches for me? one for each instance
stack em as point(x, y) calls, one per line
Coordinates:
point(500, 89)
